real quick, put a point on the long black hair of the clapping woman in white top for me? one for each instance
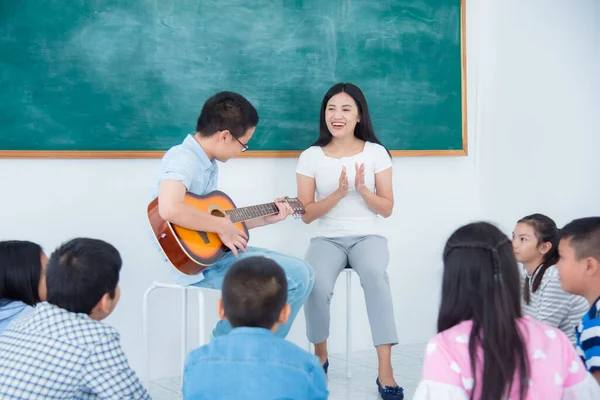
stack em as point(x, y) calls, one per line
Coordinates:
point(363, 130)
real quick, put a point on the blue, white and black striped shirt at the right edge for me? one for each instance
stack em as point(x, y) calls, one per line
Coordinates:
point(588, 338)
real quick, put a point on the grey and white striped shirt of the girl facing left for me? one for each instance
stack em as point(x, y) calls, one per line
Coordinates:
point(552, 305)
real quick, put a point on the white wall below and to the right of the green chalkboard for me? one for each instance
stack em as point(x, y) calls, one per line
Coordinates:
point(532, 84)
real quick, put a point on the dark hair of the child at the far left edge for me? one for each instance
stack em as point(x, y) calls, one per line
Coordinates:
point(20, 271)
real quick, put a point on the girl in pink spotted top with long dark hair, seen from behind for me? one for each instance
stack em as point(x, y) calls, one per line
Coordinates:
point(485, 348)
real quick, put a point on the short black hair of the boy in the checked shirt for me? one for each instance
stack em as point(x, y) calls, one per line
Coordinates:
point(80, 272)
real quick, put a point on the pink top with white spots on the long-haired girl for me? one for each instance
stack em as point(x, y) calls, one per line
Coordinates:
point(554, 366)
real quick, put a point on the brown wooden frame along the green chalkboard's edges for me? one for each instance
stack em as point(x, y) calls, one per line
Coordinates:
point(102, 154)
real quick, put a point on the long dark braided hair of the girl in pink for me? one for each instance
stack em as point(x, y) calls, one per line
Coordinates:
point(481, 284)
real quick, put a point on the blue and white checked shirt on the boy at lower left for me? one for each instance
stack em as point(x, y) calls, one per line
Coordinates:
point(56, 354)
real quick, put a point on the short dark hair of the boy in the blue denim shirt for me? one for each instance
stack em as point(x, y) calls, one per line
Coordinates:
point(254, 292)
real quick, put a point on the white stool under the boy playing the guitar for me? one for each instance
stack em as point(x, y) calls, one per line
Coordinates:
point(183, 289)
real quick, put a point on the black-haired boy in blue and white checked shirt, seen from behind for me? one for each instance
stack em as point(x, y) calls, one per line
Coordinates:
point(62, 350)
